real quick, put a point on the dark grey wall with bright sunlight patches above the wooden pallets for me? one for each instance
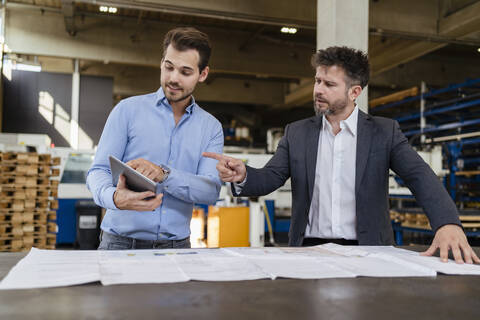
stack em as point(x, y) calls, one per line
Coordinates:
point(40, 102)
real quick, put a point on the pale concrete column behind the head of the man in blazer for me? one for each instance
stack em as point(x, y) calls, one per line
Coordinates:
point(344, 23)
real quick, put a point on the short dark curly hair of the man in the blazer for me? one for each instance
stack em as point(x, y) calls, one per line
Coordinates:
point(353, 62)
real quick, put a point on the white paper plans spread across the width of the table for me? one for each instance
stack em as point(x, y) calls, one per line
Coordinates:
point(53, 268)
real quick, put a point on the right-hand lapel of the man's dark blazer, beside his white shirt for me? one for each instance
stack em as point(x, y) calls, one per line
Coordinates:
point(364, 139)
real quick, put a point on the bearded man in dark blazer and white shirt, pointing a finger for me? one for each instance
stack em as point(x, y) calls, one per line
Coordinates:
point(339, 162)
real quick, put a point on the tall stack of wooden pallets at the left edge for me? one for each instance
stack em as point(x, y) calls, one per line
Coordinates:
point(28, 188)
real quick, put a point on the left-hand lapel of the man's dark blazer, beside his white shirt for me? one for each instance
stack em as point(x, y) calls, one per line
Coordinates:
point(311, 151)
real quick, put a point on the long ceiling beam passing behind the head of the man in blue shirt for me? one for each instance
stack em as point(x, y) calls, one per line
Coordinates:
point(108, 39)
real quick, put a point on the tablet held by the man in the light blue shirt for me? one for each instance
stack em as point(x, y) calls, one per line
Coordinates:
point(135, 180)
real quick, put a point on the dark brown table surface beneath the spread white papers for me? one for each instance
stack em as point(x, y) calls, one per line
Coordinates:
point(443, 297)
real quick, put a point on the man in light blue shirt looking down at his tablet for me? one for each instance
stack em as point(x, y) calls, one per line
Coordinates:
point(162, 135)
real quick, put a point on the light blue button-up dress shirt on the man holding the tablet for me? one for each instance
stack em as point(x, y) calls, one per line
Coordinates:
point(144, 127)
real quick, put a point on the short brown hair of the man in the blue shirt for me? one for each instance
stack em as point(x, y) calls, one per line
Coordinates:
point(186, 38)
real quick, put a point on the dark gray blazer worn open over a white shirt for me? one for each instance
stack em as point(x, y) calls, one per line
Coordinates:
point(380, 146)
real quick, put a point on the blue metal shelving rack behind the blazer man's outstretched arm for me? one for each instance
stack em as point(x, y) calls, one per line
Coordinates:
point(449, 117)
